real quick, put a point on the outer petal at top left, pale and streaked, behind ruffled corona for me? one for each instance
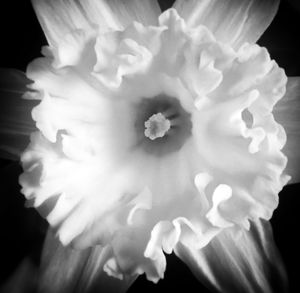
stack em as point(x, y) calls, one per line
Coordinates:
point(59, 18)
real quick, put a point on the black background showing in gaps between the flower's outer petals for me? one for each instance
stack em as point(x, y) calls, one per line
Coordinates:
point(22, 230)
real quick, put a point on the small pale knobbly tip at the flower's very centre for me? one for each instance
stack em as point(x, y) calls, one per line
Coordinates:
point(157, 126)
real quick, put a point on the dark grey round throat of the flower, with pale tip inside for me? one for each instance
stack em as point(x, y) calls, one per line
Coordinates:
point(162, 125)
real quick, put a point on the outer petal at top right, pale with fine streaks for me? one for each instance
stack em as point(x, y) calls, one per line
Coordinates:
point(234, 21)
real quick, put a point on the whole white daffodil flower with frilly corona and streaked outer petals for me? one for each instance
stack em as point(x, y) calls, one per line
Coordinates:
point(157, 133)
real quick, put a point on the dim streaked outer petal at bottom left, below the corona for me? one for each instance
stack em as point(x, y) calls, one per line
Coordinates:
point(64, 269)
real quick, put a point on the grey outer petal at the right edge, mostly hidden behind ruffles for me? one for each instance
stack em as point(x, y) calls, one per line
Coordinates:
point(287, 113)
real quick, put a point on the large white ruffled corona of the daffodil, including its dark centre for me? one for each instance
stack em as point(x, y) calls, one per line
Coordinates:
point(150, 136)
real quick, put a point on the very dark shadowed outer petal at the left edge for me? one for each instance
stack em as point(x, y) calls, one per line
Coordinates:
point(16, 123)
